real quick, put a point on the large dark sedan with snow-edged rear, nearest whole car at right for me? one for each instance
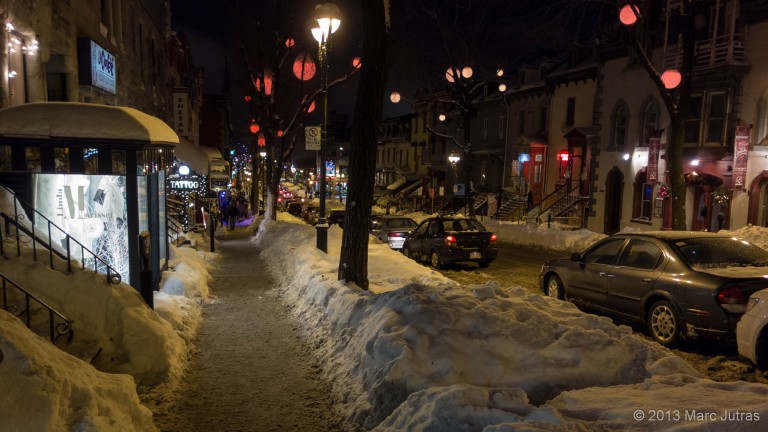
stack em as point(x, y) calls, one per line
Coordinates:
point(677, 283)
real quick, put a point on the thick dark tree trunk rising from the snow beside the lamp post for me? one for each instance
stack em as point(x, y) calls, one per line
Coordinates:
point(353, 261)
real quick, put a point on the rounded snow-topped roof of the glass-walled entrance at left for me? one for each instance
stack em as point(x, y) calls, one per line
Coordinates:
point(68, 120)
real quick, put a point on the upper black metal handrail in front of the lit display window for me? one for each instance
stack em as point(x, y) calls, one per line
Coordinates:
point(113, 276)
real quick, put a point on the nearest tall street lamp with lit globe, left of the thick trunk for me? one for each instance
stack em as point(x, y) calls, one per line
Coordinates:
point(328, 19)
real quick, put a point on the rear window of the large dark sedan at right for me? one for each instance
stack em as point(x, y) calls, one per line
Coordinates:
point(721, 252)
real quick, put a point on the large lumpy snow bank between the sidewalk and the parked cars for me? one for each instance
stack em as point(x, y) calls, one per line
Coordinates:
point(417, 342)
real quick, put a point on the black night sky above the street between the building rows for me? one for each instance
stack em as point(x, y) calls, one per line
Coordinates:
point(484, 33)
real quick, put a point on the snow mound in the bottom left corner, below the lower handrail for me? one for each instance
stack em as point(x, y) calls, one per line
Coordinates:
point(59, 392)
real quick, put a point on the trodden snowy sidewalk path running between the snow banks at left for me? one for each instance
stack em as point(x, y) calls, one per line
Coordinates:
point(249, 369)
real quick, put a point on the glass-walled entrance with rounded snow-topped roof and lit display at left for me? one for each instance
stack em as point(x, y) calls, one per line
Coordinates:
point(99, 173)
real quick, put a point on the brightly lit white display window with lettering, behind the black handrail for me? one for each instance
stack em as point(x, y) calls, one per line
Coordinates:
point(92, 210)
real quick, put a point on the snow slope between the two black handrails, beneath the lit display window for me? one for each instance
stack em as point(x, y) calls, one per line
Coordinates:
point(114, 318)
